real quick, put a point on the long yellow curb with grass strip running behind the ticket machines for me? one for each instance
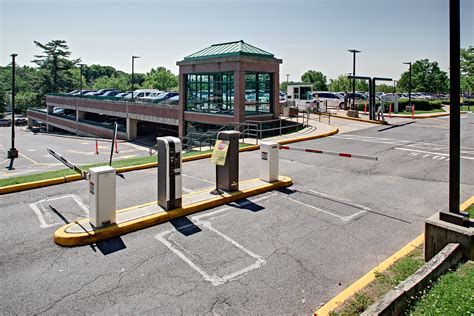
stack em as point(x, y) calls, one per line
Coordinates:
point(44, 179)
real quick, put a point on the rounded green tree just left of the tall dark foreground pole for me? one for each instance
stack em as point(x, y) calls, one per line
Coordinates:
point(426, 77)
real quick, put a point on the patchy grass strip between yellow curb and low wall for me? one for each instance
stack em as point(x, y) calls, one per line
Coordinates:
point(383, 282)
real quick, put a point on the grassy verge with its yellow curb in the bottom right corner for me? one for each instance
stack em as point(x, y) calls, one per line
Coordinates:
point(359, 296)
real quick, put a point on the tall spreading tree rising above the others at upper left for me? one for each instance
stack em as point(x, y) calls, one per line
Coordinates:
point(55, 66)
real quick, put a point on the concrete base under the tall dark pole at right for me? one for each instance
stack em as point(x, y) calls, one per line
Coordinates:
point(439, 233)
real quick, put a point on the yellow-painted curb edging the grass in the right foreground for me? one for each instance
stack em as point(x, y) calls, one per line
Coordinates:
point(370, 276)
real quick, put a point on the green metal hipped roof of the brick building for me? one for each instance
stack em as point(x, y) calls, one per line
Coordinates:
point(237, 48)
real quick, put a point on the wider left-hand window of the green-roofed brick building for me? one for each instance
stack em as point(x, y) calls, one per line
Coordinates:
point(210, 93)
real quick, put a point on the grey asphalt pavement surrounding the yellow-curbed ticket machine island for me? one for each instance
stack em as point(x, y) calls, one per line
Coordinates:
point(286, 251)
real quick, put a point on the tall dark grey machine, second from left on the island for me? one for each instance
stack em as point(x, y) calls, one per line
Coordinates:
point(169, 172)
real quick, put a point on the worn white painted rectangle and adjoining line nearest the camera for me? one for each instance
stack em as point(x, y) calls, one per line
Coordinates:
point(197, 219)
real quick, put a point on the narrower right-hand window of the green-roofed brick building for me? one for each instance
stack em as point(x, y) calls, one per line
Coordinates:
point(258, 93)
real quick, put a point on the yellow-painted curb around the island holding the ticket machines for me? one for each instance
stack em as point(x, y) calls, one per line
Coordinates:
point(84, 238)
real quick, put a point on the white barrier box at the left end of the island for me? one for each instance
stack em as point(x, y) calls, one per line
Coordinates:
point(102, 196)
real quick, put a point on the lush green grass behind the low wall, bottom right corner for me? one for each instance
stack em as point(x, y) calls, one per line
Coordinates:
point(451, 294)
